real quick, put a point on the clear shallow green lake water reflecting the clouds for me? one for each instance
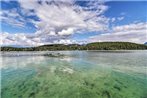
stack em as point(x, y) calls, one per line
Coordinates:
point(79, 74)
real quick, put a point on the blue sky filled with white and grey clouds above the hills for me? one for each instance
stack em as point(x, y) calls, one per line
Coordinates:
point(41, 22)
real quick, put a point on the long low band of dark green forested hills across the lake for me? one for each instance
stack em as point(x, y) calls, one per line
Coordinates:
point(89, 46)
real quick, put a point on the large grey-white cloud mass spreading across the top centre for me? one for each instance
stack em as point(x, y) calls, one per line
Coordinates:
point(56, 16)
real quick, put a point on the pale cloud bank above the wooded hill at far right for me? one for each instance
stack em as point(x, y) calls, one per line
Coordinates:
point(136, 32)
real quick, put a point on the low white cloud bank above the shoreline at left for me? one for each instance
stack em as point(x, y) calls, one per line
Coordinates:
point(27, 40)
